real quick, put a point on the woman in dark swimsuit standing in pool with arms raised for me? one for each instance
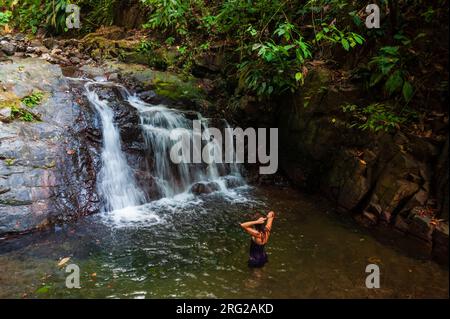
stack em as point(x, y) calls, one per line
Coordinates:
point(260, 232)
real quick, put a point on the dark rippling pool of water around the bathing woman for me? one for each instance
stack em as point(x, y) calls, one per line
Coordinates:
point(194, 248)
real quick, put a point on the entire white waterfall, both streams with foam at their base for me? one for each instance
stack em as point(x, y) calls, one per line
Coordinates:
point(125, 202)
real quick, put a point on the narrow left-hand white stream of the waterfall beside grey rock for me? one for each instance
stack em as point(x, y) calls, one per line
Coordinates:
point(116, 183)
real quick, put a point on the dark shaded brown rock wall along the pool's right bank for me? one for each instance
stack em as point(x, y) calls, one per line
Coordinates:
point(396, 181)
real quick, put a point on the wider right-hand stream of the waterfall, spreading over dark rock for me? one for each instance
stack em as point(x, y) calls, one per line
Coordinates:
point(157, 122)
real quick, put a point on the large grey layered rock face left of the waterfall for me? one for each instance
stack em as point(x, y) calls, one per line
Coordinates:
point(47, 166)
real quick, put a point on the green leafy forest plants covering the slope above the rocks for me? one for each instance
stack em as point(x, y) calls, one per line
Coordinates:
point(270, 45)
